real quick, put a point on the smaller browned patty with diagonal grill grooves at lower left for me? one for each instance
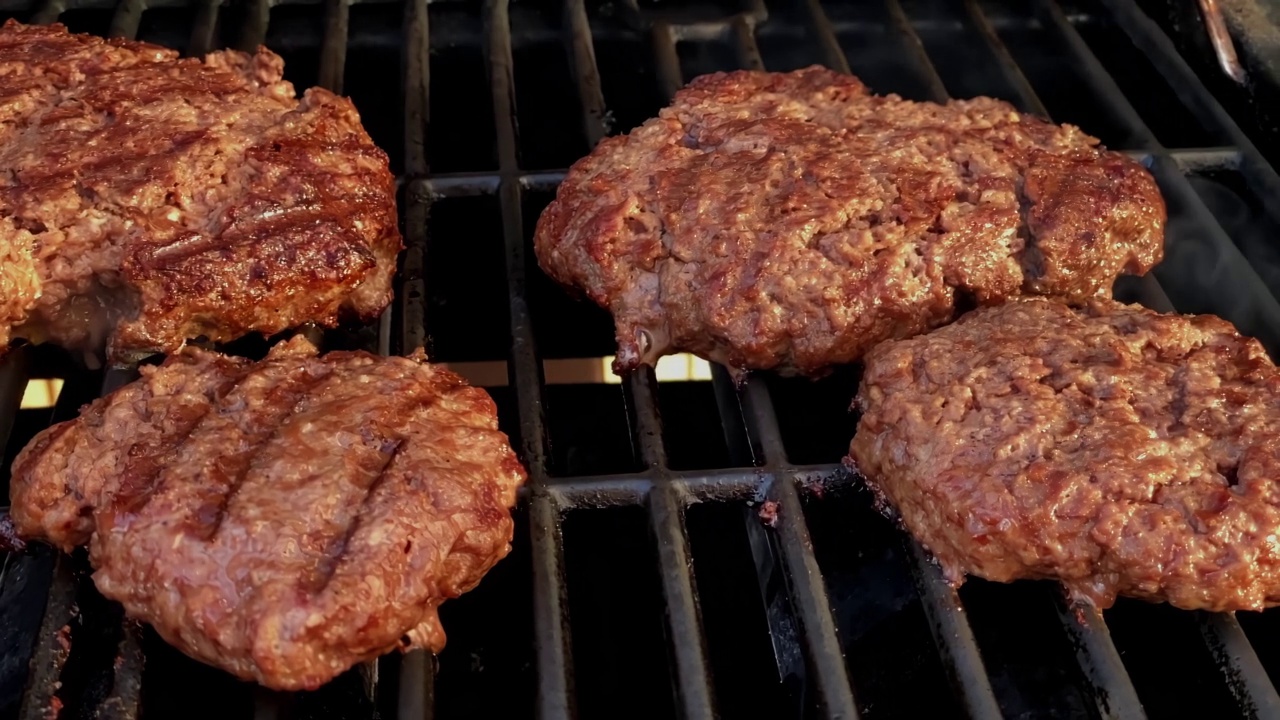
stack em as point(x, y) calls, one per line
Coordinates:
point(284, 520)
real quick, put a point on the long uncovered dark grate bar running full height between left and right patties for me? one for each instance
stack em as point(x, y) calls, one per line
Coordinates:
point(551, 608)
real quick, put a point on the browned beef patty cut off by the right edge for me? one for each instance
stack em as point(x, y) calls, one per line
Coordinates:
point(1114, 449)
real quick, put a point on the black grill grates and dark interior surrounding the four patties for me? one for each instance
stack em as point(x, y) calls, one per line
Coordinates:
point(644, 582)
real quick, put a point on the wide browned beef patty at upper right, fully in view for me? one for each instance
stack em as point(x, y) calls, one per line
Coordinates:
point(793, 221)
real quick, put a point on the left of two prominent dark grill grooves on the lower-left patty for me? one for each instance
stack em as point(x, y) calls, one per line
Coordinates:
point(277, 412)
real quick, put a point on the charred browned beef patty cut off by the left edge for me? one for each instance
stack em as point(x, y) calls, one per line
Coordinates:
point(147, 199)
